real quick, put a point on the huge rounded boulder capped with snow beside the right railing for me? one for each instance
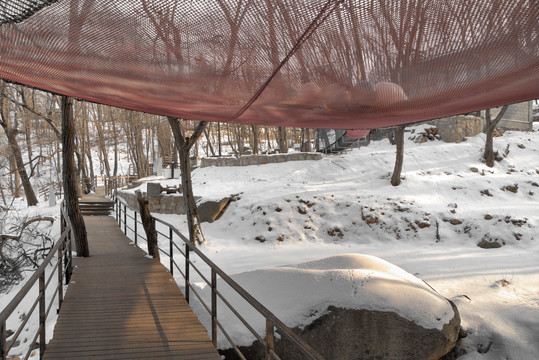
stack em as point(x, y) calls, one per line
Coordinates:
point(349, 307)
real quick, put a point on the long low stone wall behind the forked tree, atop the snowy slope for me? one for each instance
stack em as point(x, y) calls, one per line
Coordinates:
point(259, 159)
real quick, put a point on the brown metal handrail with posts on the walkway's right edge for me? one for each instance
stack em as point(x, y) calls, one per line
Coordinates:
point(272, 321)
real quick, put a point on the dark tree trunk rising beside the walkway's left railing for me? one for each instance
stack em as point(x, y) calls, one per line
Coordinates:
point(70, 178)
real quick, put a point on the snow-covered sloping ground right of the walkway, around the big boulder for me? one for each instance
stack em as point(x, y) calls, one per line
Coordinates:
point(430, 225)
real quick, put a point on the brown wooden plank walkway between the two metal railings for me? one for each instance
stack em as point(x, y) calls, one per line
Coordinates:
point(122, 305)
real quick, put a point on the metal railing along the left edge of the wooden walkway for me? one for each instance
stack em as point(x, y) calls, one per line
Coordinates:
point(62, 248)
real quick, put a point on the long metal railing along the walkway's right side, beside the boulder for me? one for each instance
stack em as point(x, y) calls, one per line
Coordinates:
point(273, 324)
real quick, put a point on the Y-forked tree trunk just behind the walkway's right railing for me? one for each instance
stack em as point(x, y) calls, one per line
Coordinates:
point(184, 144)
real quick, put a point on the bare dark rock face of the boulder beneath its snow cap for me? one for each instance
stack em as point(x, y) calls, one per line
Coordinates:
point(344, 334)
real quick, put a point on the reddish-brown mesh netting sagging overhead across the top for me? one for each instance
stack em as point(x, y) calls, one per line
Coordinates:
point(351, 64)
